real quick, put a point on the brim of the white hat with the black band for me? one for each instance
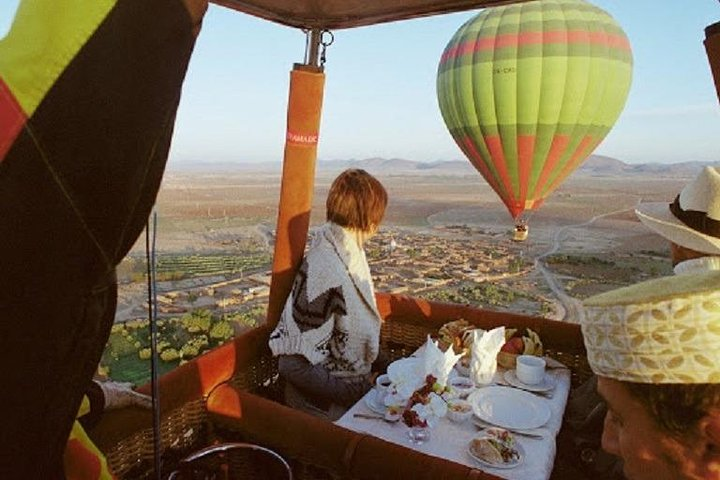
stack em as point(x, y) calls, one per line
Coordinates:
point(659, 218)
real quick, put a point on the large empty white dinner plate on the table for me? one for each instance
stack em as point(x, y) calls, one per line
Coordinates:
point(509, 408)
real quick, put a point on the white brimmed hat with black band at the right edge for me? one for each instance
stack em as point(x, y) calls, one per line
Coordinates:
point(693, 219)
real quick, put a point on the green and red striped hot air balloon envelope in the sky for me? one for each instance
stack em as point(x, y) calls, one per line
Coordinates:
point(529, 90)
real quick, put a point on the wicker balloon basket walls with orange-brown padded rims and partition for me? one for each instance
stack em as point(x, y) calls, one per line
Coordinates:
point(234, 393)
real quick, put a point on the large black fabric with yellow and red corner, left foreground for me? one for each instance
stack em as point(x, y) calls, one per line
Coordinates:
point(88, 96)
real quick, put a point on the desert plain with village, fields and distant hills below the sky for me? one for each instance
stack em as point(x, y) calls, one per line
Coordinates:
point(446, 237)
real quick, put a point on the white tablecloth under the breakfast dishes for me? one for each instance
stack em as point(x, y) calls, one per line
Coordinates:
point(450, 440)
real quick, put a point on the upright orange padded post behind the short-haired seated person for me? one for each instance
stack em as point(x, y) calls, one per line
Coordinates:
point(298, 181)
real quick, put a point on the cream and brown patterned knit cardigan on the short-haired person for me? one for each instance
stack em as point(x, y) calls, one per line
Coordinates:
point(331, 317)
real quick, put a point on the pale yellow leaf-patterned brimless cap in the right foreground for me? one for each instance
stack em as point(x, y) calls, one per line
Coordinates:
point(665, 330)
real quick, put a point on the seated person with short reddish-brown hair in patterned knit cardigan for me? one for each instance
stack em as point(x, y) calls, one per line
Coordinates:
point(328, 335)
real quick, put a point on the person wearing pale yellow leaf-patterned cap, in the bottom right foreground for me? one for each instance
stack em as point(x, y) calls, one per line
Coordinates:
point(655, 347)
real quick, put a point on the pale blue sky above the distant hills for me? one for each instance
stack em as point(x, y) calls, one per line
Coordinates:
point(380, 98)
